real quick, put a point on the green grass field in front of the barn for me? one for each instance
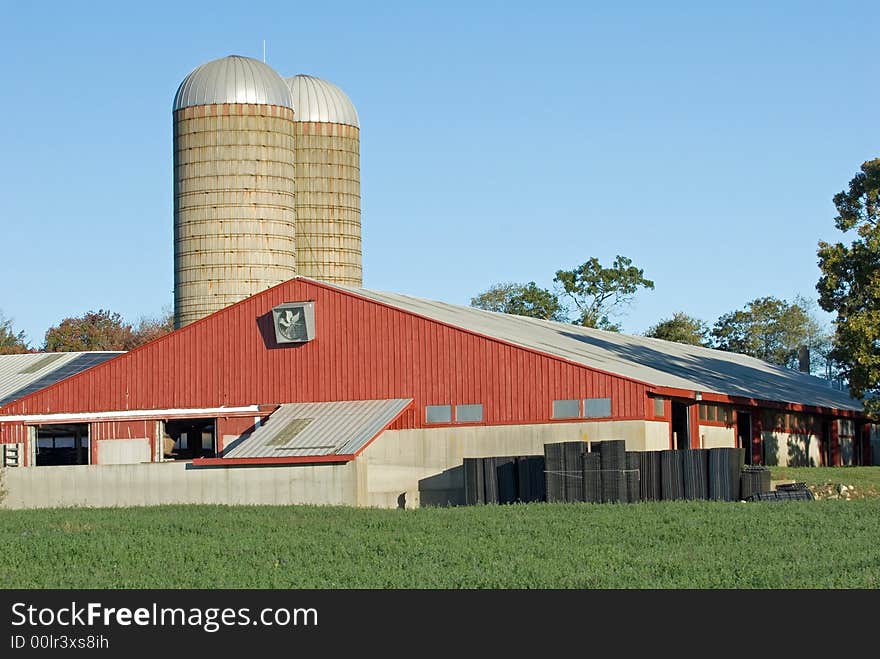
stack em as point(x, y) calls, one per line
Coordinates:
point(820, 544)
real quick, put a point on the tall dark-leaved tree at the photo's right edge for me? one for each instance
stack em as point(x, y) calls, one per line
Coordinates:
point(850, 284)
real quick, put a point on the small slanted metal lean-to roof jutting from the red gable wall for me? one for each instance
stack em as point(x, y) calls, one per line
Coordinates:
point(311, 429)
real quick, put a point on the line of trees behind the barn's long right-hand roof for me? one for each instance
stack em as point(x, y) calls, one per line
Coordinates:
point(768, 328)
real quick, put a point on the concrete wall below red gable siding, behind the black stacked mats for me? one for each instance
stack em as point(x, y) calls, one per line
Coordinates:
point(423, 466)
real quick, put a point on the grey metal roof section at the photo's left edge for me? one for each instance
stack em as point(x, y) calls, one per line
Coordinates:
point(21, 375)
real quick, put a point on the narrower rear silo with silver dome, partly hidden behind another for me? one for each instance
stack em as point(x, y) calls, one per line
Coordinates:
point(328, 182)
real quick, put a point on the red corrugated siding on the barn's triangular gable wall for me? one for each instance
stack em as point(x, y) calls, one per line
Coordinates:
point(362, 351)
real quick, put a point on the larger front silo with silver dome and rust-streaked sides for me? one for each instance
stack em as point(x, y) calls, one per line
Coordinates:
point(234, 166)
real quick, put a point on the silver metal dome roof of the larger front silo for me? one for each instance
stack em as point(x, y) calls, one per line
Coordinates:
point(233, 79)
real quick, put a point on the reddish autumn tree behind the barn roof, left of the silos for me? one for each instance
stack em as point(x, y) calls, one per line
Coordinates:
point(94, 330)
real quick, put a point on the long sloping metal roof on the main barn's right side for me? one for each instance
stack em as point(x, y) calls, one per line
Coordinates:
point(652, 361)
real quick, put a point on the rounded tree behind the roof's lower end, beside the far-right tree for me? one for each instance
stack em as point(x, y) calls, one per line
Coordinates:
point(770, 329)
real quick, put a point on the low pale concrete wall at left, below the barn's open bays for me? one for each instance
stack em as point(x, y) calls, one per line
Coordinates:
point(152, 484)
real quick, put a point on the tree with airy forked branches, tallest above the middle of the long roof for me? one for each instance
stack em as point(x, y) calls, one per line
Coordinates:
point(597, 293)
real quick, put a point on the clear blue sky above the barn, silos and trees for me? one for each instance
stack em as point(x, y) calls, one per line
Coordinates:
point(501, 141)
